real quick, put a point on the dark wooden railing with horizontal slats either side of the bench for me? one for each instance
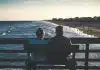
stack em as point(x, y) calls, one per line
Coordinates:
point(86, 41)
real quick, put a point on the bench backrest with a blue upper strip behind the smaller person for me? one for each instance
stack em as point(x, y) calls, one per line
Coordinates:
point(39, 45)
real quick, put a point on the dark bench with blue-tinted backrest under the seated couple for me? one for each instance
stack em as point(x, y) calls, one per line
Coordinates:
point(40, 46)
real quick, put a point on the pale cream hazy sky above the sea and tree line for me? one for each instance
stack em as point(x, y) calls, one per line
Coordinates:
point(47, 9)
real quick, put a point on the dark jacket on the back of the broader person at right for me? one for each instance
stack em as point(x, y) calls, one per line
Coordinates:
point(58, 49)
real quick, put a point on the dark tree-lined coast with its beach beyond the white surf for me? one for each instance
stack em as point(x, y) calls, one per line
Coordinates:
point(89, 25)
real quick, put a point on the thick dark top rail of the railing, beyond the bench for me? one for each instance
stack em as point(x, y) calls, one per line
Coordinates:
point(73, 40)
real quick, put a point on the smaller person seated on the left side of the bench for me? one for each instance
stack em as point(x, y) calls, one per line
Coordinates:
point(36, 55)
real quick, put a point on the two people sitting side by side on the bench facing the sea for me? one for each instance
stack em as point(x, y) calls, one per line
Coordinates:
point(58, 47)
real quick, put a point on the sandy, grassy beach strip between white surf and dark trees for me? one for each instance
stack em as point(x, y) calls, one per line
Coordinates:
point(88, 28)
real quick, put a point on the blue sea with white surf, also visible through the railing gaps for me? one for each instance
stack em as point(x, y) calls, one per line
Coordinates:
point(27, 29)
